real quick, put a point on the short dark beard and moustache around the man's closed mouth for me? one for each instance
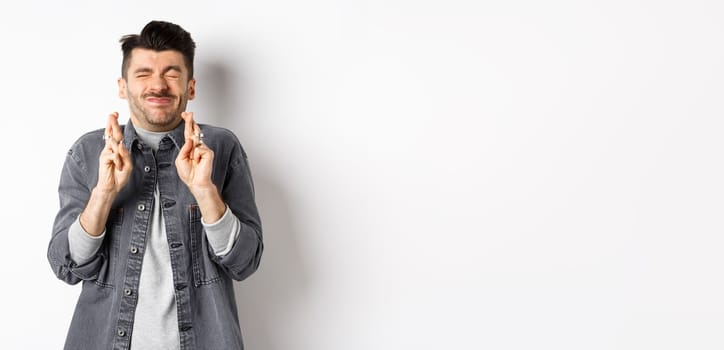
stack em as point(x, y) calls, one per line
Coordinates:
point(158, 118)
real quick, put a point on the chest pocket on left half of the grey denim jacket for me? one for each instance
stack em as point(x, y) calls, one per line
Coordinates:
point(110, 247)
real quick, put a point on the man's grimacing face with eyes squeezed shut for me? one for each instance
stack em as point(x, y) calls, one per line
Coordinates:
point(157, 88)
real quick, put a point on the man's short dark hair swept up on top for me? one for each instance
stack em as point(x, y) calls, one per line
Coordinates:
point(159, 36)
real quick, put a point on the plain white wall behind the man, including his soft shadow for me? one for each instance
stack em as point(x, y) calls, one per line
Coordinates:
point(431, 174)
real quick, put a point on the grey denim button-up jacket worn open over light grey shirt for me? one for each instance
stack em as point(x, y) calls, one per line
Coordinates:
point(206, 306)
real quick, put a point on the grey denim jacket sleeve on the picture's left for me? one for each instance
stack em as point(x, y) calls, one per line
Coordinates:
point(73, 192)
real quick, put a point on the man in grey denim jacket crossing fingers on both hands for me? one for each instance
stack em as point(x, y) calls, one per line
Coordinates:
point(158, 216)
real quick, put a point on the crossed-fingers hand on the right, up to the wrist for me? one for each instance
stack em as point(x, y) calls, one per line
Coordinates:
point(195, 160)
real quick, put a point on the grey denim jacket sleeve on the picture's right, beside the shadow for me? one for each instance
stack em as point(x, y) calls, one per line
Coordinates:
point(238, 193)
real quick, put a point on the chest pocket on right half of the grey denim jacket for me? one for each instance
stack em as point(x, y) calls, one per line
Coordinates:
point(204, 269)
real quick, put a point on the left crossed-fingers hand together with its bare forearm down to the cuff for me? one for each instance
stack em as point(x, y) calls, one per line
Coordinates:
point(114, 170)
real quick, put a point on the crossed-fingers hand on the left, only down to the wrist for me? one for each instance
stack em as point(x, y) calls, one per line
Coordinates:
point(114, 168)
